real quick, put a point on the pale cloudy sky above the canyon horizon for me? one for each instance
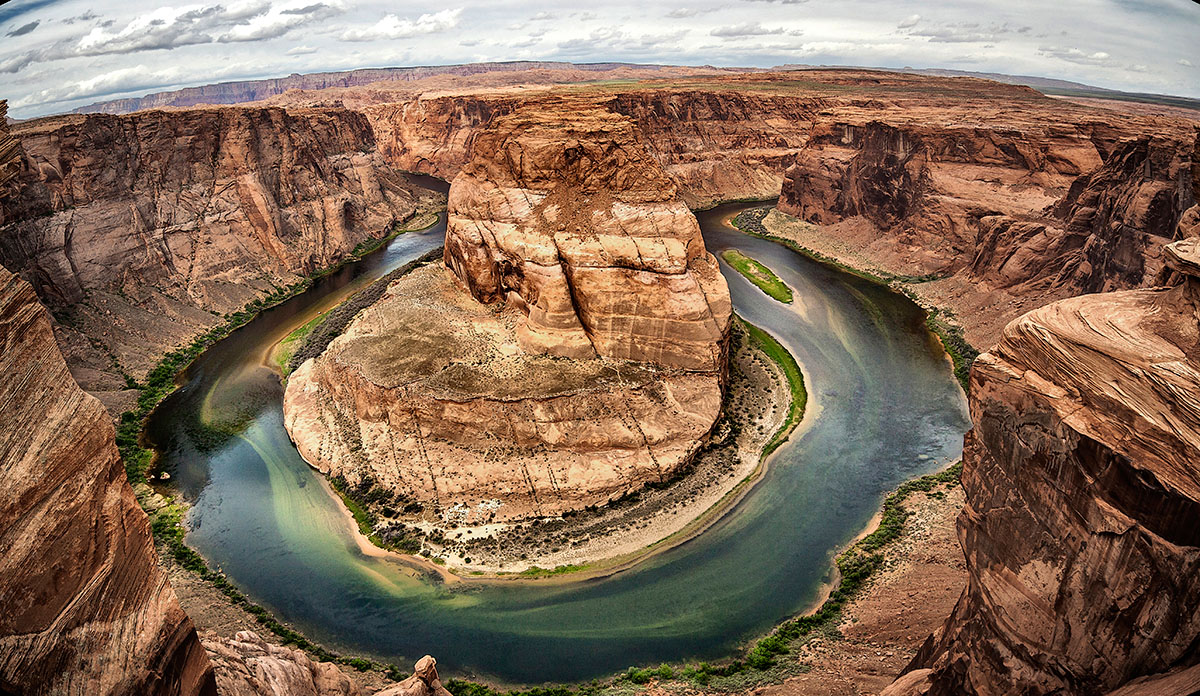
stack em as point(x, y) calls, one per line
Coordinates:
point(61, 55)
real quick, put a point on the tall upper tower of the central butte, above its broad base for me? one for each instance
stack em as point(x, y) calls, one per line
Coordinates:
point(565, 213)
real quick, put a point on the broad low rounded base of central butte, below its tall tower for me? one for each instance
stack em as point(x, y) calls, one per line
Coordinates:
point(429, 395)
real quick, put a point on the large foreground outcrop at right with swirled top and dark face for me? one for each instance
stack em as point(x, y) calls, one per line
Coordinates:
point(1083, 497)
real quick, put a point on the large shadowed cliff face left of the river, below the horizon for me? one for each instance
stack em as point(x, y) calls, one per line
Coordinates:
point(141, 231)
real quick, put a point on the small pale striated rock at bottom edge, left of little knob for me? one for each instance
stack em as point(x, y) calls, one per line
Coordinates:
point(247, 665)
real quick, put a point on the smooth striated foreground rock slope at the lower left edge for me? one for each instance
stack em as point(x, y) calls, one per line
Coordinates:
point(87, 610)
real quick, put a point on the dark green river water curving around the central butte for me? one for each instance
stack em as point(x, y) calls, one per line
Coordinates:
point(884, 409)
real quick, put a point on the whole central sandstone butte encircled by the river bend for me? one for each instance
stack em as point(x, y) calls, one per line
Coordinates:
point(573, 352)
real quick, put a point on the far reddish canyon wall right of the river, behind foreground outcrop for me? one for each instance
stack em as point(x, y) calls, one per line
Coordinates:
point(1011, 217)
